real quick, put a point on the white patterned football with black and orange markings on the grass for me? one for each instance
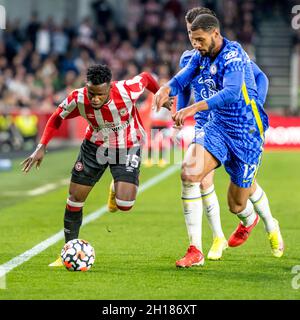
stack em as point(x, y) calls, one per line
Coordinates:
point(78, 255)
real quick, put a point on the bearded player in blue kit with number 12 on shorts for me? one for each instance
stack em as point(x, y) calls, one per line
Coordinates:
point(233, 136)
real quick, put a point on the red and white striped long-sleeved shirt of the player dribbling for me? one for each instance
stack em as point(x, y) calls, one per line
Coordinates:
point(117, 123)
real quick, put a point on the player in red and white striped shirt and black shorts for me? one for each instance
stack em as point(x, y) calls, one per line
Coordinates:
point(114, 136)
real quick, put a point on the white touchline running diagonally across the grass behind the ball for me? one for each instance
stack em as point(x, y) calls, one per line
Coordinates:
point(25, 256)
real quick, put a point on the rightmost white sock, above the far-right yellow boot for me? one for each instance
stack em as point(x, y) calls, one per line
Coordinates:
point(261, 206)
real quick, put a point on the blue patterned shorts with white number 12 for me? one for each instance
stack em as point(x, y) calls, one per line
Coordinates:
point(241, 161)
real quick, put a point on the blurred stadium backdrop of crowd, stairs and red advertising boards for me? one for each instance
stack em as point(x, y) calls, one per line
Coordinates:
point(45, 51)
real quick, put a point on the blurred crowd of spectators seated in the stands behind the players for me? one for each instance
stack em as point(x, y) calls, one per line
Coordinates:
point(42, 61)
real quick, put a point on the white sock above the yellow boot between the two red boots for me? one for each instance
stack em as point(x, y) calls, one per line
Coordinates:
point(212, 210)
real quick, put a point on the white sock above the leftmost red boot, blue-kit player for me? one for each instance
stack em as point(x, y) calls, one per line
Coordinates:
point(192, 207)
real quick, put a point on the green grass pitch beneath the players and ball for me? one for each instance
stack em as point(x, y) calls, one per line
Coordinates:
point(136, 251)
